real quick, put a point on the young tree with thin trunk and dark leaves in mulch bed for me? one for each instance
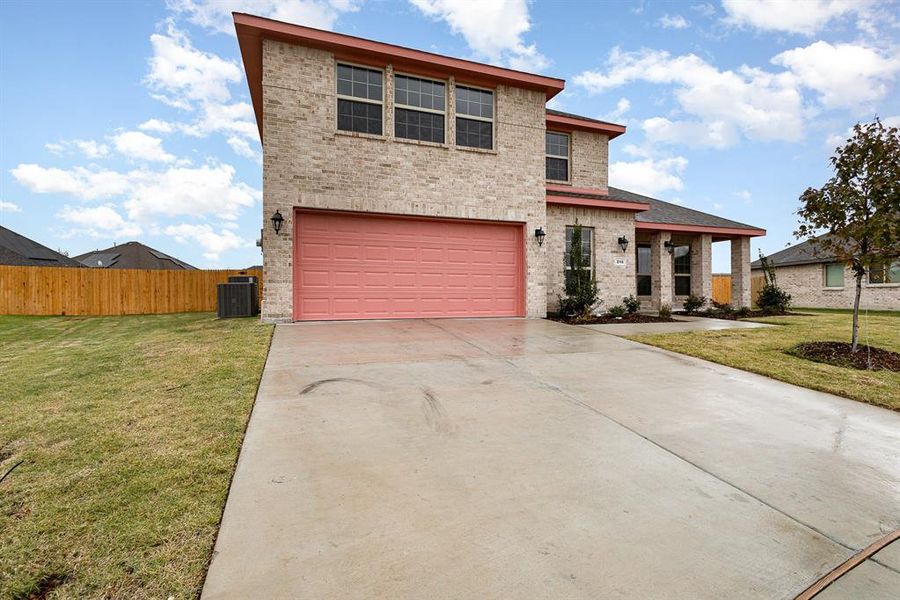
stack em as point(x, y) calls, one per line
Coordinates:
point(859, 207)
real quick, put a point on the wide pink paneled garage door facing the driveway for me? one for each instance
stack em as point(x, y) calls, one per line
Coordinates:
point(358, 266)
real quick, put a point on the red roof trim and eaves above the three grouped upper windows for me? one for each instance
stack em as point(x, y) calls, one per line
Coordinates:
point(251, 30)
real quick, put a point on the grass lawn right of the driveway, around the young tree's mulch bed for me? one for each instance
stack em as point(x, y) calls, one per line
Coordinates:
point(763, 351)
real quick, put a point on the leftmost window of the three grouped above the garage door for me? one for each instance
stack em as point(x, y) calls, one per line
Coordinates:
point(360, 99)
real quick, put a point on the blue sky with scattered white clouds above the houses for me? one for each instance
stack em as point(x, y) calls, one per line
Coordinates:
point(131, 120)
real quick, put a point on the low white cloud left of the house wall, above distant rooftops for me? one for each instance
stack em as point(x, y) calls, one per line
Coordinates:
point(202, 191)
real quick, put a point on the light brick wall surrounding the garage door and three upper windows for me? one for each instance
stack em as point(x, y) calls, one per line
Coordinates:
point(308, 163)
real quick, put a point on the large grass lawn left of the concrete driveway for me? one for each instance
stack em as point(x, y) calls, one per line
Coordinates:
point(129, 428)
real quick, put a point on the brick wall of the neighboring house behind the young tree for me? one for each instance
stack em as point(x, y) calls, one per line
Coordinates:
point(806, 285)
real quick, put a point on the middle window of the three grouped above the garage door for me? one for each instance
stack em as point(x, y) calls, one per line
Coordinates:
point(419, 108)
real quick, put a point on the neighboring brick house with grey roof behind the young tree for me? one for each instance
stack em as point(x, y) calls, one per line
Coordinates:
point(814, 279)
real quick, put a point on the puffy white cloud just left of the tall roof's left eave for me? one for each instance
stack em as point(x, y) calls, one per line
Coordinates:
point(182, 75)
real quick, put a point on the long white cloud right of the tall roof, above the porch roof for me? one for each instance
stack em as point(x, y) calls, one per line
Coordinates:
point(761, 105)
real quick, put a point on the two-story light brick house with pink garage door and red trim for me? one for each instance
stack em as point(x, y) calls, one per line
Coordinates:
point(417, 185)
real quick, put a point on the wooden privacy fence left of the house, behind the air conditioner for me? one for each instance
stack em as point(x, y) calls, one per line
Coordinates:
point(75, 291)
